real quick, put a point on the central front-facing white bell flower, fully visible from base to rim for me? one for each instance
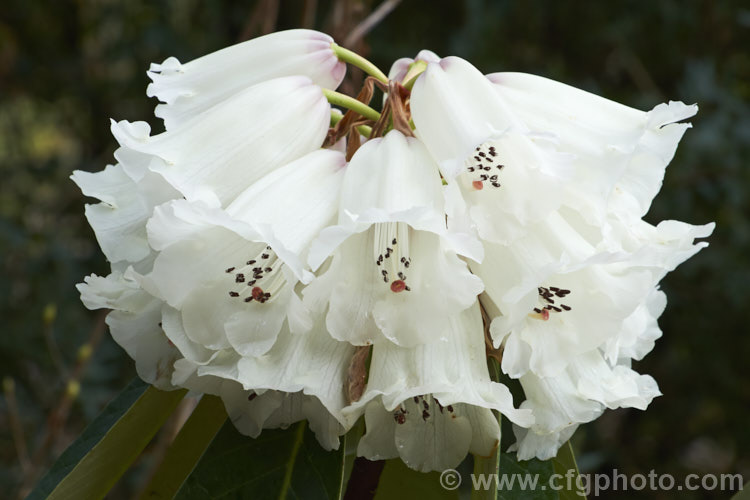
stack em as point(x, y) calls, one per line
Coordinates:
point(395, 272)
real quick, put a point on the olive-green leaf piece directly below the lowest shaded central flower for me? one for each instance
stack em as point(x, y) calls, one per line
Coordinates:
point(399, 481)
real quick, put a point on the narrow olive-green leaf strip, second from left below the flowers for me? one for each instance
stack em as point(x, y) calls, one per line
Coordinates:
point(188, 447)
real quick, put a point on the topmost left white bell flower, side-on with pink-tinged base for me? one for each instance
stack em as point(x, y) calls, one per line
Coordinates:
point(191, 88)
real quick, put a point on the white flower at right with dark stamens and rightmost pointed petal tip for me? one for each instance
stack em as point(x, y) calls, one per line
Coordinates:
point(564, 289)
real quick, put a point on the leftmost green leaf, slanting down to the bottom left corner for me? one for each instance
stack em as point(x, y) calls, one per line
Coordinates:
point(97, 459)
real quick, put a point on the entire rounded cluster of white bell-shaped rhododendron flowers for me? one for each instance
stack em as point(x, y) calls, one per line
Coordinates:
point(308, 263)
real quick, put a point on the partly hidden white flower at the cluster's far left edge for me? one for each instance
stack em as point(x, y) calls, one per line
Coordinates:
point(119, 221)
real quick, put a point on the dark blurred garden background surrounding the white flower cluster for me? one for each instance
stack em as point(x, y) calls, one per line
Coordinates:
point(67, 67)
